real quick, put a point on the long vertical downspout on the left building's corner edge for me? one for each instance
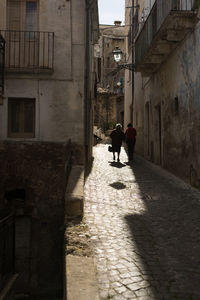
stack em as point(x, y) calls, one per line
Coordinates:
point(87, 103)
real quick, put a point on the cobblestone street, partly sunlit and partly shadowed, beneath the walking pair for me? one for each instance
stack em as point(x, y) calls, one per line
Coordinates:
point(145, 226)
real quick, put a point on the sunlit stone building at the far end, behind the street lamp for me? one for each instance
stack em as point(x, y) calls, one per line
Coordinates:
point(109, 107)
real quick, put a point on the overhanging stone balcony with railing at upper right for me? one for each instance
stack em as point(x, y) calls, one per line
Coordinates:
point(166, 26)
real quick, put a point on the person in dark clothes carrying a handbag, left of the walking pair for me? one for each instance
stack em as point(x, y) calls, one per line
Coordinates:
point(117, 136)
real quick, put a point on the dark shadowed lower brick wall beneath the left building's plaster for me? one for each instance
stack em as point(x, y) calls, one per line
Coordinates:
point(41, 169)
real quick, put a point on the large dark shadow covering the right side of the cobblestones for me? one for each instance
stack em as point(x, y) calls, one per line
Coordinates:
point(167, 234)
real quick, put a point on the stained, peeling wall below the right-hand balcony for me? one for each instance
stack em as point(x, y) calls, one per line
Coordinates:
point(171, 109)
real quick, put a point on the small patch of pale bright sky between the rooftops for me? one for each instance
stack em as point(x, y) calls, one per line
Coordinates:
point(110, 11)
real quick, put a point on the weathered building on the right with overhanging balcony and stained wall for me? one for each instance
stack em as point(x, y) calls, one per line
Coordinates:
point(166, 85)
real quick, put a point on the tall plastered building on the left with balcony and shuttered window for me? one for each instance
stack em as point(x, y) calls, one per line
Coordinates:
point(45, 126)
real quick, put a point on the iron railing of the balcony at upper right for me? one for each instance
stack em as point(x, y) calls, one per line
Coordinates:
point(160, 10)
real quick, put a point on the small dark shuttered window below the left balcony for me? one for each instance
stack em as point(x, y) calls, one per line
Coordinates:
point(21, 118)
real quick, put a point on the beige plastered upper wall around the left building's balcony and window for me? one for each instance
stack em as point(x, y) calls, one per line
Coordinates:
point(60, 95)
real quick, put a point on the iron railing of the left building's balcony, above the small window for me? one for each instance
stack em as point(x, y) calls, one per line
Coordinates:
point(28, 50)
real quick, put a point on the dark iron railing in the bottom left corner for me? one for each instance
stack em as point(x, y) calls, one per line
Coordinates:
point(6, 249)
